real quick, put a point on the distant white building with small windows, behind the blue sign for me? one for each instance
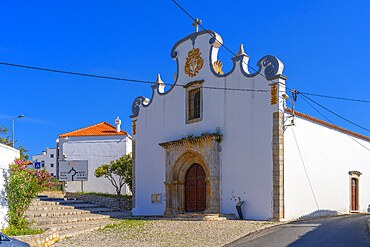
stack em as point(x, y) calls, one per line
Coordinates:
point(46, 160)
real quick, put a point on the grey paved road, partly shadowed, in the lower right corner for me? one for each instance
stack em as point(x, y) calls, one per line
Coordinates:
point(346, 231)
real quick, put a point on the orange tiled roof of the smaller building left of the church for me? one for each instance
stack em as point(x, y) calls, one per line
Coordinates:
point(100, 129)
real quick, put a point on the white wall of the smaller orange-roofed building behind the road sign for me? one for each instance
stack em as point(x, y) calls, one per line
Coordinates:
point(97, 150)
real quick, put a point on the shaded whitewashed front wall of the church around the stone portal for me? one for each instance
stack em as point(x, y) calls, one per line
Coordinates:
point(245, 120)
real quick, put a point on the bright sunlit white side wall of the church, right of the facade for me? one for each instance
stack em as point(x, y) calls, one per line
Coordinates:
point(328, 155)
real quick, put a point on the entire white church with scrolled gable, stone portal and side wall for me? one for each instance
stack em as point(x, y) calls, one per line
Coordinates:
point(199, 148)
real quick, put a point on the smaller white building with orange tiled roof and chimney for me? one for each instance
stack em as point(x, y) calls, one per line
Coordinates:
point(98, 144)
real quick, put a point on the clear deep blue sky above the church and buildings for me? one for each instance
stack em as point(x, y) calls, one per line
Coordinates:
point(325, 46)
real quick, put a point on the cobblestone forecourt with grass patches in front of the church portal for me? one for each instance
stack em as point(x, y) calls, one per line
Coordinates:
point(134, 232)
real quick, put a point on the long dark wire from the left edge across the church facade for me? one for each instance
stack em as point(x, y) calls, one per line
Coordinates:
point(125, 79)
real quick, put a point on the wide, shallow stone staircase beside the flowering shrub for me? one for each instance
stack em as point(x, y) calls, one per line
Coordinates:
point(70, 217)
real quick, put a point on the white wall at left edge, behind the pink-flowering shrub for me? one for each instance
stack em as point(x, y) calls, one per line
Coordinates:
point(7, 156)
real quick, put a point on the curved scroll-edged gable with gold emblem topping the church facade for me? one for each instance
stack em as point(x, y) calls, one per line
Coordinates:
point(196, 58)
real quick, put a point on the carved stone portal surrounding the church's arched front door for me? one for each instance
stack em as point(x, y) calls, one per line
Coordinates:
point(180, 156)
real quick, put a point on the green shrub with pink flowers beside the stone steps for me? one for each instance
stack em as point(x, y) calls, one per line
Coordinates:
point(21, 186)
